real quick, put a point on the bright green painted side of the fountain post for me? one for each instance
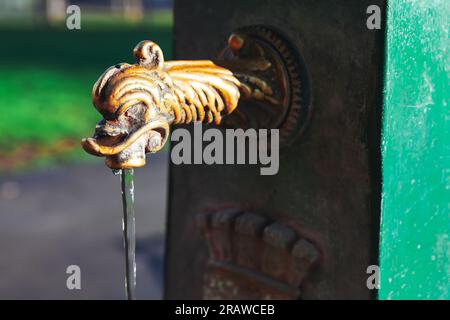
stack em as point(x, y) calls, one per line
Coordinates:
point(415, 237)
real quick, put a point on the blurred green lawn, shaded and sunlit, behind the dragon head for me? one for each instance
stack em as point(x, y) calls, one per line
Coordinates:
point(47, 73)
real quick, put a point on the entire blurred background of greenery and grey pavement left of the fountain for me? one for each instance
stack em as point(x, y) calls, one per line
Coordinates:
point(52, 194)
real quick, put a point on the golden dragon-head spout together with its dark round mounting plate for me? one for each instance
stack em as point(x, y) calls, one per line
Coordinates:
point(140, 101)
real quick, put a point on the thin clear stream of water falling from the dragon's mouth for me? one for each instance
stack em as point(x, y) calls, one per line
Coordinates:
point(129, 231)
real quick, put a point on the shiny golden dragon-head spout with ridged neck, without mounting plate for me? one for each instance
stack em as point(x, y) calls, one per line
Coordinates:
point(139, 102)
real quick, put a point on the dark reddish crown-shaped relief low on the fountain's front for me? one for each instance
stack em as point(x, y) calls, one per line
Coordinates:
point(251, 257)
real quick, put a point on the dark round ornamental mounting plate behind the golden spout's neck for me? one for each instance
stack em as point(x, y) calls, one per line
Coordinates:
point(274, 81)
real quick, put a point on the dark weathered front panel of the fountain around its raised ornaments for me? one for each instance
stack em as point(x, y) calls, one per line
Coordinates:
point(327, 188)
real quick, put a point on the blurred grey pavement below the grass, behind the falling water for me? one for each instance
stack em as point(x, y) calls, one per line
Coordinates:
point(72, 216)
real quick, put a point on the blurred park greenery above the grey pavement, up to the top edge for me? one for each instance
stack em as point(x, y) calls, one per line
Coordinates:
point(47, 71)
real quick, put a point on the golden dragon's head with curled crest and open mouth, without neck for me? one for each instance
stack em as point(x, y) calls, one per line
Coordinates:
point(135, 120)
